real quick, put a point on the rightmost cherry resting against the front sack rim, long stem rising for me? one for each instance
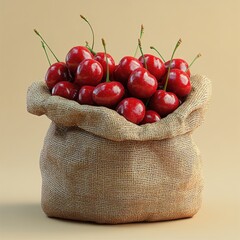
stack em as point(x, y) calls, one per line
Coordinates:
point(163, 102)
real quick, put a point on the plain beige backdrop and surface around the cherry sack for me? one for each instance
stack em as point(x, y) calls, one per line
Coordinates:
point(209, 27)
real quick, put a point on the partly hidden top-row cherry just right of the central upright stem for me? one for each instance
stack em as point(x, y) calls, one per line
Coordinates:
point(125, 67)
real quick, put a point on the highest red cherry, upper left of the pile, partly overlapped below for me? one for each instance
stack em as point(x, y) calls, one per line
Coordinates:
point(75, 56)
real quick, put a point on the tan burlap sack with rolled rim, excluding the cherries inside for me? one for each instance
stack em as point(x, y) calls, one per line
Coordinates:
point(96, 166)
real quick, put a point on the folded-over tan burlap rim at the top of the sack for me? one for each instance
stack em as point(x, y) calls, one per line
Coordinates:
point(108, 124)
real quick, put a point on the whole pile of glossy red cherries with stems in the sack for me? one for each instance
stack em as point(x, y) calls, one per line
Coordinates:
point(143, 90)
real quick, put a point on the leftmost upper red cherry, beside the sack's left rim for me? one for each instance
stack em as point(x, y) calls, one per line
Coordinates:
point(57, 72)
